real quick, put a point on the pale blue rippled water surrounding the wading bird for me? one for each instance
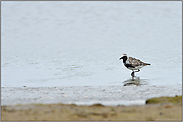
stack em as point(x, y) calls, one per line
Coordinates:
point(54, 44)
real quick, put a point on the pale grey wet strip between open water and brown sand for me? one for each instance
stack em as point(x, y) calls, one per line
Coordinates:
point(86, 95)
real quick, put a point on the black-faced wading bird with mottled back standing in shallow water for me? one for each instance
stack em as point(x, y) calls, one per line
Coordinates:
point(133, 64)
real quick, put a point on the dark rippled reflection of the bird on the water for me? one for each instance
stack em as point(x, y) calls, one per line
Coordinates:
point(135, 81)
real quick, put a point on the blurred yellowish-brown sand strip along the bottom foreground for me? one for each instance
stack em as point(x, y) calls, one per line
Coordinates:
point(166, 111)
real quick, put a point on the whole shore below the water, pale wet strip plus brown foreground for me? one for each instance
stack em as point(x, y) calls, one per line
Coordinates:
point(91, 103)
